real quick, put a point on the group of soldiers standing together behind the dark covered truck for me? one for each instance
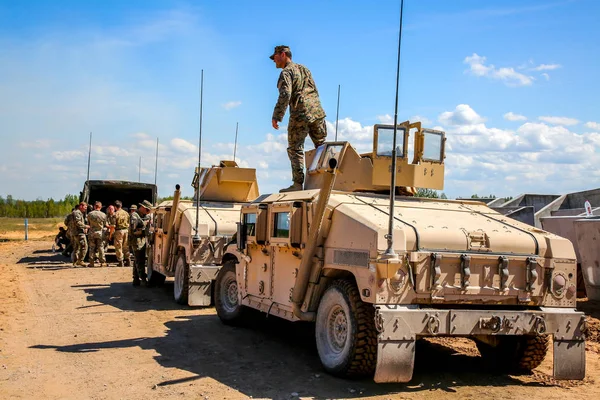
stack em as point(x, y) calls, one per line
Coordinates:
point(89, 228)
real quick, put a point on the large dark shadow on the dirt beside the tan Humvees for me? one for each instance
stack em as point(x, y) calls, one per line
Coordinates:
point(270, 358)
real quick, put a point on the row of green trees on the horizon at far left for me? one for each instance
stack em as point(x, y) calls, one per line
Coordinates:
point(39, 208)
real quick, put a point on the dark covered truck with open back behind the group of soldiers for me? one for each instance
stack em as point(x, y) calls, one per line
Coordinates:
point(107, 191)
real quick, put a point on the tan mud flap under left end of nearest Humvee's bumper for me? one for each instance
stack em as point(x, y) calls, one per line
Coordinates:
point(395, 361)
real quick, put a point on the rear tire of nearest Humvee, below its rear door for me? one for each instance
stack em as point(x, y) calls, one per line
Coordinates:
point(227, 301)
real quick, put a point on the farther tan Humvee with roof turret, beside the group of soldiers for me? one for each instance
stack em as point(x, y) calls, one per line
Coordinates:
point(189, 239)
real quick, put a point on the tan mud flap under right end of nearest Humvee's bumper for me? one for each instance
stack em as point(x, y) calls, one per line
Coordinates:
point(569, 359)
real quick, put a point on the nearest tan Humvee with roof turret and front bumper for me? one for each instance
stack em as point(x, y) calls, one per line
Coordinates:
point(448, 268)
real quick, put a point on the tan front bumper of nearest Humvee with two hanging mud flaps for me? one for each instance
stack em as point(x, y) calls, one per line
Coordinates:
point(399, 327)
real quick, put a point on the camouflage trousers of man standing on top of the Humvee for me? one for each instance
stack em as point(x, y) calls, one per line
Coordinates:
point(297, 132)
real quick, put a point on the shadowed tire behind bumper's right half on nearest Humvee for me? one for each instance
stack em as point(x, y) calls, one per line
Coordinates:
point(515, 353)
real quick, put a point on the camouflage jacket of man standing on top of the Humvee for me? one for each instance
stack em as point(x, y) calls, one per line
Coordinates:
point(298, 90)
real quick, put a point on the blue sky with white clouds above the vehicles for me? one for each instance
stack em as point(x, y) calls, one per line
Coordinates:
point(513, 83)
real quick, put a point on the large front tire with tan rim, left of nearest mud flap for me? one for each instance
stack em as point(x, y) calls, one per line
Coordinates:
point(345, 332)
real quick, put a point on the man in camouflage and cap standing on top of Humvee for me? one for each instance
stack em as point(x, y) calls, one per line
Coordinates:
point(298, 90)
